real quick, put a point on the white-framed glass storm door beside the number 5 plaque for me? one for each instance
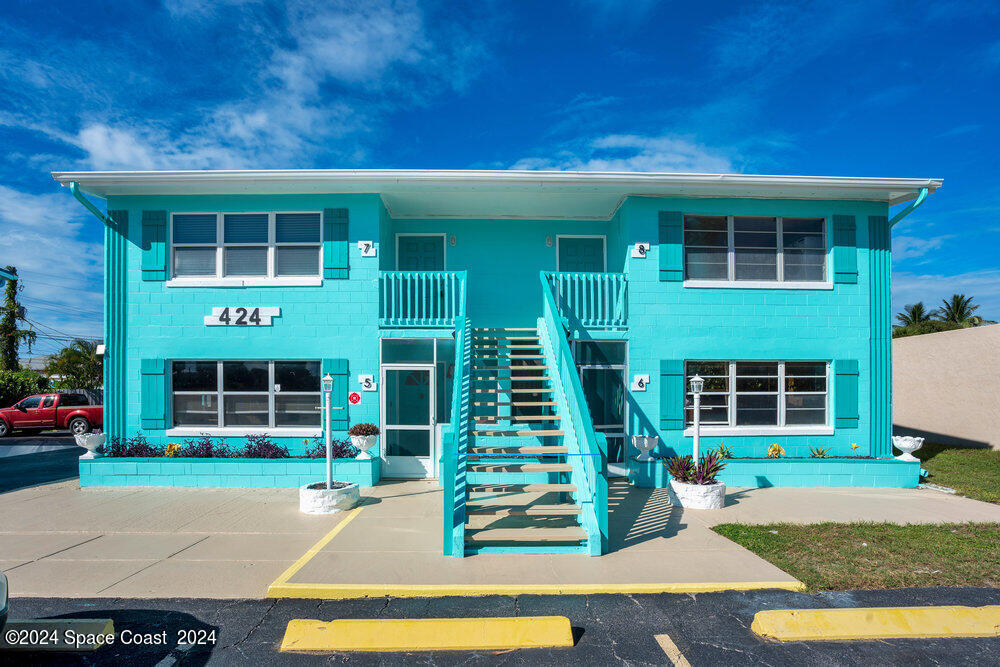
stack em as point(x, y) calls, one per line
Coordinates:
point(408, 423)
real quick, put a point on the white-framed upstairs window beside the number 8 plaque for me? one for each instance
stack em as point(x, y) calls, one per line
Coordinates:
point(733, 248)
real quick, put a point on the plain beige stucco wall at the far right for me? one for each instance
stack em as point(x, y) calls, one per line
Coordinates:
point(946, 386)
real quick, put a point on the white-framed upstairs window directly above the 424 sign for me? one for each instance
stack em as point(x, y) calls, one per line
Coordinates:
point(260, 245)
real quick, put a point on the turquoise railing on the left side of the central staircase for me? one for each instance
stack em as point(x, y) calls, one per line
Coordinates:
point(455, 438)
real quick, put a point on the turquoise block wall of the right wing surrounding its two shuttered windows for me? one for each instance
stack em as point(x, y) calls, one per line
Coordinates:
point(668, 321)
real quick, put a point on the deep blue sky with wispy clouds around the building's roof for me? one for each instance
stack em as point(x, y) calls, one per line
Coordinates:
point(875, 88)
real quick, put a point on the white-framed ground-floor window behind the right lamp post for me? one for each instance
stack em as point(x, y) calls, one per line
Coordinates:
point(752, 394)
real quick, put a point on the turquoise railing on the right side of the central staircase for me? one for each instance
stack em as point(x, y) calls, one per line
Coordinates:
point(588, 449)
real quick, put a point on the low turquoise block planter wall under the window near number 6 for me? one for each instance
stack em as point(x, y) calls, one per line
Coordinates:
point(763, 472)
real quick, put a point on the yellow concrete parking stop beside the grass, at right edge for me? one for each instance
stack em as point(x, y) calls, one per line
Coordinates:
point(877, 623)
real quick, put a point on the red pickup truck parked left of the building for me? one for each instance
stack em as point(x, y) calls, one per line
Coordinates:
point(48, 411)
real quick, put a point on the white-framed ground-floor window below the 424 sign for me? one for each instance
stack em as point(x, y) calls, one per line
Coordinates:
point(246, 393)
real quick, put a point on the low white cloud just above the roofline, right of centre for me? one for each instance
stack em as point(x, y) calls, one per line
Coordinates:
point(631, 152)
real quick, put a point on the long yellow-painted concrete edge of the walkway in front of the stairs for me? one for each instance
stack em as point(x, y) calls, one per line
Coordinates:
point(280, 589)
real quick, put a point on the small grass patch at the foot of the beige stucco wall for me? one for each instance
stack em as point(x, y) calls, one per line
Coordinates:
point(972, 472)
